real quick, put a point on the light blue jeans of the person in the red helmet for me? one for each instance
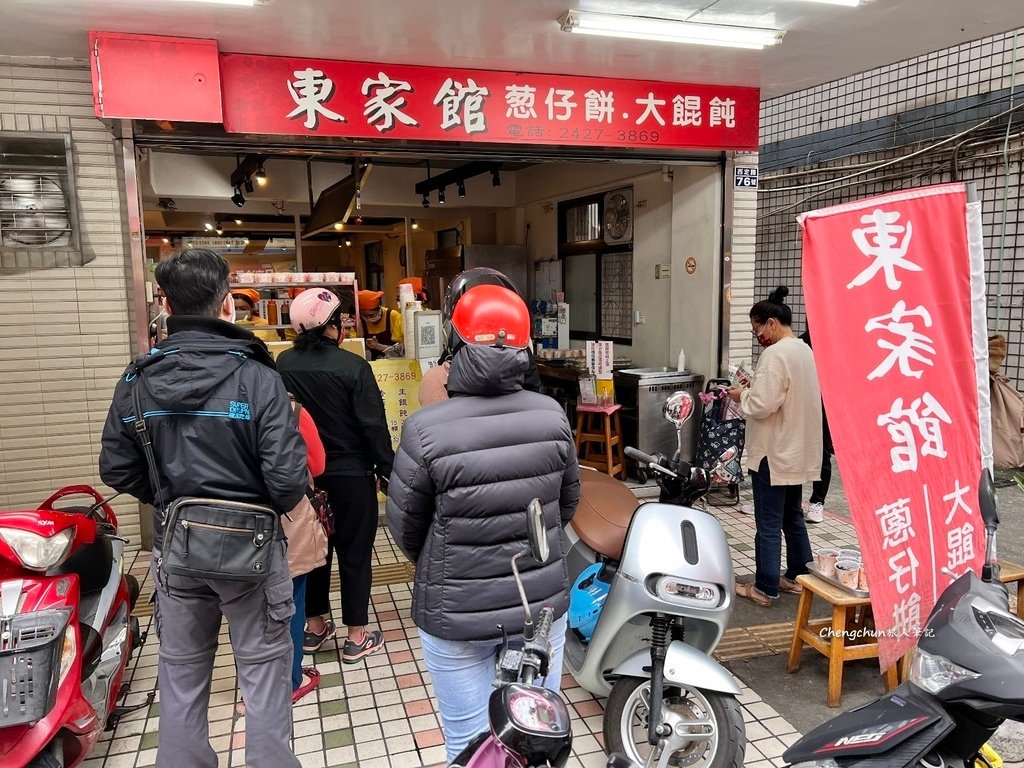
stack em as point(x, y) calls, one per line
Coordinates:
point(463, 673)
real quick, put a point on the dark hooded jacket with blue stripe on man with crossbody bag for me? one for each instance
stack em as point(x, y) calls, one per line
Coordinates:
point(220, 419)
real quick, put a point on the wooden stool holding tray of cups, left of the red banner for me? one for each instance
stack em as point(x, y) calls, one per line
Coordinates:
point(847, 638)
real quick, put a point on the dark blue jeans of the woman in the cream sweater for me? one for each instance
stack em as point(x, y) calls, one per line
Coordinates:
point(777, 511)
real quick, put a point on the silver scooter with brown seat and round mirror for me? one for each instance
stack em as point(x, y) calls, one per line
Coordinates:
point(669, 565)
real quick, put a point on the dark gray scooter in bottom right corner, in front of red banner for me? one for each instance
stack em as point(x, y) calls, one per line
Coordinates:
point(966, 679)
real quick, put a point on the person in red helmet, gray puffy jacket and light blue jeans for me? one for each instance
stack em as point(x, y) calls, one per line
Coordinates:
point(465, 473)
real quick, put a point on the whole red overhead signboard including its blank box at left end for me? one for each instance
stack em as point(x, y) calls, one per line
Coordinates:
point(314, 98)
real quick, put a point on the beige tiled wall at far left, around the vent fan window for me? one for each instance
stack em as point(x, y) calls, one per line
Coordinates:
point(65, 332)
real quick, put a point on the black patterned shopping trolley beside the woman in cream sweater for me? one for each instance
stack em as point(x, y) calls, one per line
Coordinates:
point(720, 444)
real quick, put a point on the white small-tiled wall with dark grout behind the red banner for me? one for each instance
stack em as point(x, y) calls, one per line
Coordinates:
point(992, 72)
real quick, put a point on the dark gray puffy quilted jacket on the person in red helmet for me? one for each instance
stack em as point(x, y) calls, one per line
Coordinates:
point(463, 477)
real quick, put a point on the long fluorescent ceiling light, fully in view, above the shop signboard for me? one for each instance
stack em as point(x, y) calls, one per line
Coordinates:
point(663, 30)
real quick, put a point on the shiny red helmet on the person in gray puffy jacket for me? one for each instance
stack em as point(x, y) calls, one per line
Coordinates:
point(492, 316)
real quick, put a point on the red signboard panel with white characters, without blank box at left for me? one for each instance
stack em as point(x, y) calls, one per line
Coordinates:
point(266, 95)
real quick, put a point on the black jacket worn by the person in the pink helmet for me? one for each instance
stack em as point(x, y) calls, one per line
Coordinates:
point(340, 393)
